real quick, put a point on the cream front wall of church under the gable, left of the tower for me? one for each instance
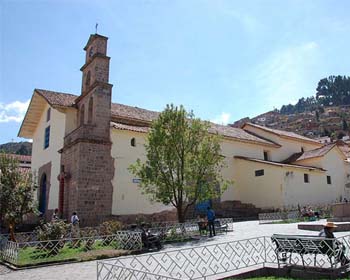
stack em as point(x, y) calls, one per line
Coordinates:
point(41, 156)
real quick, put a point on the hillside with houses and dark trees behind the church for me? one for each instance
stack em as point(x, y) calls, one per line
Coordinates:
point(325, 117)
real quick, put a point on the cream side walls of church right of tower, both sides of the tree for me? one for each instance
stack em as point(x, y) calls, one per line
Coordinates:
point(279, 187)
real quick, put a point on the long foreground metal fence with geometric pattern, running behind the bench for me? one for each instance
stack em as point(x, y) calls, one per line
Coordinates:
point(216, 261)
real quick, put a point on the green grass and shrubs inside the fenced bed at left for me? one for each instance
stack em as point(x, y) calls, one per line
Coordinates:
point(33, 255)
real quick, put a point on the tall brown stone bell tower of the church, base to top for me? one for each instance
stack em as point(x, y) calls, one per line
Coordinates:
point(87, 165)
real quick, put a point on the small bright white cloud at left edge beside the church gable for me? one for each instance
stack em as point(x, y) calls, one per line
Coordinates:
point(13, 112)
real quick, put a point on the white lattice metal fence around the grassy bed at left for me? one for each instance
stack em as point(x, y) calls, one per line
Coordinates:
point(34, 252)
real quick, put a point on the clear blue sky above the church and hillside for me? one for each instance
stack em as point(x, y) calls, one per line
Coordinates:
point(222, 59)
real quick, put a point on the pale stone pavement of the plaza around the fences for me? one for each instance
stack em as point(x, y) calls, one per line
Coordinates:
point(87, 270)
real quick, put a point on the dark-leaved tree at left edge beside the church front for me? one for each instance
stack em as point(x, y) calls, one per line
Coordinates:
point(17, 189)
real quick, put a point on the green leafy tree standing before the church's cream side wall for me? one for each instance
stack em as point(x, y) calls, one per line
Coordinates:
point(183, 161)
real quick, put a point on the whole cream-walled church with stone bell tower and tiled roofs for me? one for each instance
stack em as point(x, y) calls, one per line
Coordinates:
point(83, 145)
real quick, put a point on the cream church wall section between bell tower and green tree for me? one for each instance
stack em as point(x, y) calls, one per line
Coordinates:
point(127, 196)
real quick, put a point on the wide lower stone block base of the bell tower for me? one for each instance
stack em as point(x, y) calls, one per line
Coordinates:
point(88, 187)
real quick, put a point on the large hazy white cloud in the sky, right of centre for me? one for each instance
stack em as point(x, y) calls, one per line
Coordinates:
point(288, 74)
